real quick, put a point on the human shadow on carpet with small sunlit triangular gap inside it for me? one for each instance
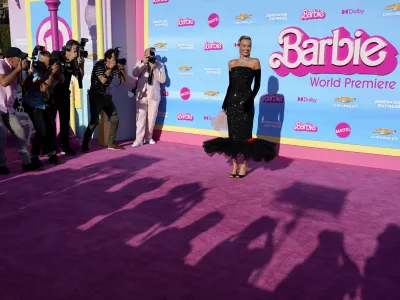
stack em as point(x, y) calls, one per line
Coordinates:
point(230, 270)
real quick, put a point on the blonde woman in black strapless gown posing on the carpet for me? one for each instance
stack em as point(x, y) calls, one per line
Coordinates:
point(239, 108)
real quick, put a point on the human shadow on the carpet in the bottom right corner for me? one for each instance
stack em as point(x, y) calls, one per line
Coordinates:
point(382, 270)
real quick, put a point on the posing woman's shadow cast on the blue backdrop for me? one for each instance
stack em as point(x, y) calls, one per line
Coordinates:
point(271, 113)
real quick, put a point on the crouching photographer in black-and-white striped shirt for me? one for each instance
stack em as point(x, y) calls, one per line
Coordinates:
point(100, 98)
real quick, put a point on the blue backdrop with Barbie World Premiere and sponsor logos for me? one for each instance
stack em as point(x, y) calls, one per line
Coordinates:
point(329, 68)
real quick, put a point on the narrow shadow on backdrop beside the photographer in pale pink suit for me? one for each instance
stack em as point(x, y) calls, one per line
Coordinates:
point(162, 108)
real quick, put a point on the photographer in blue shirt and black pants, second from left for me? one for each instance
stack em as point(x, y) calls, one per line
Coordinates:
point(38, 105)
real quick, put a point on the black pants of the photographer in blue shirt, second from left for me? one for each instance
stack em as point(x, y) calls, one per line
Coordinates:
point(44, 121)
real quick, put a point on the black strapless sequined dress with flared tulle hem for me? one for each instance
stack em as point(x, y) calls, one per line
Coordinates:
point(239, 108)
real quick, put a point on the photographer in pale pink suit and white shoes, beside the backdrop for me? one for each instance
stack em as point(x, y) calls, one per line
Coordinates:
point(150, 73)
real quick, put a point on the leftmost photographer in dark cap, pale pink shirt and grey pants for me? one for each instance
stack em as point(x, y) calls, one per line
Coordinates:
point(10, 75)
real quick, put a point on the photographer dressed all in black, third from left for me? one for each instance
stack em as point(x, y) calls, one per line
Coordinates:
point(61, 94)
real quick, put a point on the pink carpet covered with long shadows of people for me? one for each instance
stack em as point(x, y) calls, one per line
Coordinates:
point(165, 222)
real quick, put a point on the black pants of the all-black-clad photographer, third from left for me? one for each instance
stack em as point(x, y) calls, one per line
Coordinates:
point(63, 103)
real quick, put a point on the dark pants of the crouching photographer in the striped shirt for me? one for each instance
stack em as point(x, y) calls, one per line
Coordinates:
point(98, 103)
